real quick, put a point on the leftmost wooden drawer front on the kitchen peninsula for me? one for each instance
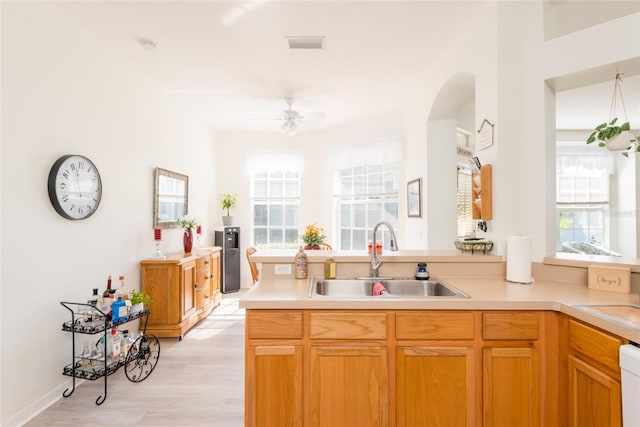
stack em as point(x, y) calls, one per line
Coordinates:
point(274, 325)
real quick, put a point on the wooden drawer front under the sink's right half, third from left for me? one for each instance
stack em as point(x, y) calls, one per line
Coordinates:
point(453, 326)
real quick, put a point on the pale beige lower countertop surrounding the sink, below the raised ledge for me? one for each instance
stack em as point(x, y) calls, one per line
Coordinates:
point(486, 294)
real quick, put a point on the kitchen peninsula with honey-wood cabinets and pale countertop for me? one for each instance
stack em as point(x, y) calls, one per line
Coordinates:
point(508, 355)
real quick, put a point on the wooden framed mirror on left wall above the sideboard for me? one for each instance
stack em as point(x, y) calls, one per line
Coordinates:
point(170, 198)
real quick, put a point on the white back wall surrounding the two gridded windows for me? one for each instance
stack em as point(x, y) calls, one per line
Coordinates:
point(316, 202)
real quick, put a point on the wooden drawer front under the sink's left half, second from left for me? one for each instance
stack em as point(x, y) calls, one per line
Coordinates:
point(347, 325)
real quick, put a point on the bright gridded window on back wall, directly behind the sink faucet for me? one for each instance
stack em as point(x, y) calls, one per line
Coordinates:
point(364, 196)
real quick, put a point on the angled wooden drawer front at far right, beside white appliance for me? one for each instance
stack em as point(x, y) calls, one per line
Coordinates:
point(598, 345)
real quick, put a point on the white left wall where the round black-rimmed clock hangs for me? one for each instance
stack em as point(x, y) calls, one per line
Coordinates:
point(62, 92)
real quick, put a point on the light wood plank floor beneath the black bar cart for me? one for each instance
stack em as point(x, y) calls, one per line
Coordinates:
point(198, 381)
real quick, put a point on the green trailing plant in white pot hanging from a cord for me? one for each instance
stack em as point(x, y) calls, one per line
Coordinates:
point(614, 136)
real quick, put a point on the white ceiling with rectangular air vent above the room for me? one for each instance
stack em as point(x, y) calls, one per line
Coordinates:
point(229, 62)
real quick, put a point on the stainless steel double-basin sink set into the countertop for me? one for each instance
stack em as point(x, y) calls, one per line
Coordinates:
point(399, 288)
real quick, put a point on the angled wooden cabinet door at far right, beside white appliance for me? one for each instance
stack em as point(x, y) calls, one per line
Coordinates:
point(594, 397)
